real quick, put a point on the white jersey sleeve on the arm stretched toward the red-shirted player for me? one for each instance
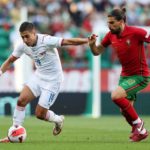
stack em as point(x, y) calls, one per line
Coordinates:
point(52, 41)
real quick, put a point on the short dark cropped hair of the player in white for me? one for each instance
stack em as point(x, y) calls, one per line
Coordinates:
point(26, 26)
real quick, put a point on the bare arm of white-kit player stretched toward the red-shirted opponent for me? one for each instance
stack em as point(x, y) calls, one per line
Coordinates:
point(74, 41)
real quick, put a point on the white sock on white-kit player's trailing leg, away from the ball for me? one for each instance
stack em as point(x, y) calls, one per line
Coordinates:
point(52, 117)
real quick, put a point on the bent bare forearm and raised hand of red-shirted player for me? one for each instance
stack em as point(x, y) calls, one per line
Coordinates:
point(96, 49)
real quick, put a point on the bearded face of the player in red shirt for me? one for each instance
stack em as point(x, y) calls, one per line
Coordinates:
point(114, 25)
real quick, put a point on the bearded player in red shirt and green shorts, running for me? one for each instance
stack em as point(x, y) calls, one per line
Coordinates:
point(128, 43)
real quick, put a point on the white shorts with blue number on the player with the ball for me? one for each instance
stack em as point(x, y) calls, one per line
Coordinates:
point(46, 90)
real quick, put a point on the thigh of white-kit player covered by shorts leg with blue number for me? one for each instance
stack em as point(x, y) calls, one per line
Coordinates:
point(48, 96)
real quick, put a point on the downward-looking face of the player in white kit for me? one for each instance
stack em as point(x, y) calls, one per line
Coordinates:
point(29, 37)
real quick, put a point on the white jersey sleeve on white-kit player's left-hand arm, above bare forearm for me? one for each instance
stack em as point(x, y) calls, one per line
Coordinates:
point(18, 50)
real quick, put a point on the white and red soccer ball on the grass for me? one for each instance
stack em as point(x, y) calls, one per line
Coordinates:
point(17, 134)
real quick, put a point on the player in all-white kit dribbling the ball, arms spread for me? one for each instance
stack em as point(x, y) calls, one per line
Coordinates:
point(46, 80)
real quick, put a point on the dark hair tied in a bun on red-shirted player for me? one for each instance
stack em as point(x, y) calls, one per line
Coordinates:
point(118, 14)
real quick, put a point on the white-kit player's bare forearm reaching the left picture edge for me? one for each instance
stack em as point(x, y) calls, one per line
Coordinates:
point(7, 64)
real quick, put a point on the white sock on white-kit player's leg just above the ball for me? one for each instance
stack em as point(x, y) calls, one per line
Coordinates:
point(19, 115)
